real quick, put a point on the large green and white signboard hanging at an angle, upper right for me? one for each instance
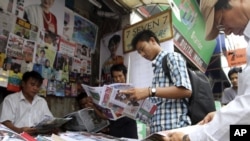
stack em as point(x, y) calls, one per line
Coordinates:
point(190, 26)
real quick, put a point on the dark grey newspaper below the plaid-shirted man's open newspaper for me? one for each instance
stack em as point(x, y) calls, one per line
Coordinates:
point(85, 119)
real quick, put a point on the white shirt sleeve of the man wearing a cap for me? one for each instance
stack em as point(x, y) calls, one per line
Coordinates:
point(236, 112)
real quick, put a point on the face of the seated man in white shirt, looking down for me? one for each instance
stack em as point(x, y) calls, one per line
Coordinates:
point(31, 87)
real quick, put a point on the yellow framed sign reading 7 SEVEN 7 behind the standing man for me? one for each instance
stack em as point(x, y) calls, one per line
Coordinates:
point(160, 24)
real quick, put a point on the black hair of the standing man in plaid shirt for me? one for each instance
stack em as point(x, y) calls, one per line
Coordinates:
point(144, 35)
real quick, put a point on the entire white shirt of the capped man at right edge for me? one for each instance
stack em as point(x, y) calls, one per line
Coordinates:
point(236, 112)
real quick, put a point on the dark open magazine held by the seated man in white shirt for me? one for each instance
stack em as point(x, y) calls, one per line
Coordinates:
point(48, 124)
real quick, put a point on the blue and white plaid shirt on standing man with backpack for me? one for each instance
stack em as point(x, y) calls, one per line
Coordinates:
point(170, 113)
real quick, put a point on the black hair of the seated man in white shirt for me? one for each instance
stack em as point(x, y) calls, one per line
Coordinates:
point(34, 75)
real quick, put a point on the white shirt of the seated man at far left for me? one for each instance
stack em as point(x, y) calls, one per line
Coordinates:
point(22, 113)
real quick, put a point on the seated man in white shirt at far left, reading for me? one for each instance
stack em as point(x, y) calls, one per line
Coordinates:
point(21, 111)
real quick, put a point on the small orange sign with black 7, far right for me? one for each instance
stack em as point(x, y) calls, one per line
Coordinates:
point(236, 57)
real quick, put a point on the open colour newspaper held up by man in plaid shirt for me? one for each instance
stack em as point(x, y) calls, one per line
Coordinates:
point(116, 105)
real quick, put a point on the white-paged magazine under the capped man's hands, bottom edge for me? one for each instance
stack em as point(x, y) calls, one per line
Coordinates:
point(160, 136)
